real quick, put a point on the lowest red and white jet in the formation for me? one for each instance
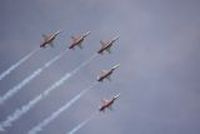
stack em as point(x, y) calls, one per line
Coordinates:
point(108, 103)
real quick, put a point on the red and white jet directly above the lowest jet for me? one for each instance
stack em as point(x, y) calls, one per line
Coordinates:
point(107, 73)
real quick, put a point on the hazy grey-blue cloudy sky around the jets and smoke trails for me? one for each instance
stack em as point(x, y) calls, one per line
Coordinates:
point(158, 49)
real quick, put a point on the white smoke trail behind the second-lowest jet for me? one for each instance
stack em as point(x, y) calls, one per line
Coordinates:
point(54, 115)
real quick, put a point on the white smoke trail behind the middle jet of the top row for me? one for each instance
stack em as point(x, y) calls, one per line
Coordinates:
point(11, 92)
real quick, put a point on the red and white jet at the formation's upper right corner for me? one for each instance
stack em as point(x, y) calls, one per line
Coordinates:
point(106, 46)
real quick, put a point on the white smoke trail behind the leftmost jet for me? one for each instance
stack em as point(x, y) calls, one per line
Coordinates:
point(13, 67)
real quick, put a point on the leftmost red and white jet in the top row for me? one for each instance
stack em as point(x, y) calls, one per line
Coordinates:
point(48, 39)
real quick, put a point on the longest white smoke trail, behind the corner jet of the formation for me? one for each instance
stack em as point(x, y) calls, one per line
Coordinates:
point(25, 108)
